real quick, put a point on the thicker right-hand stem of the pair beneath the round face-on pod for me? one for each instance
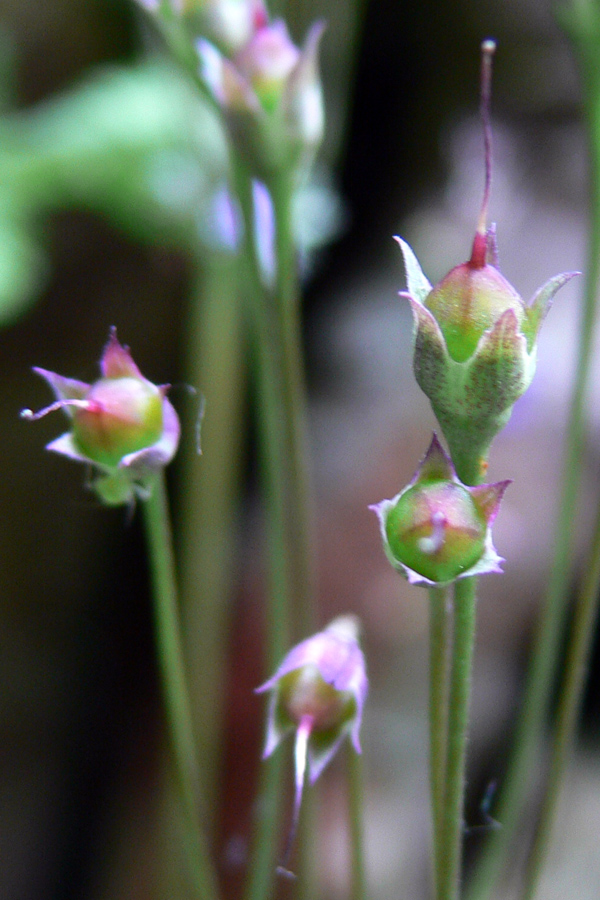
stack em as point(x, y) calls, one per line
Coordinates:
point(449, 866)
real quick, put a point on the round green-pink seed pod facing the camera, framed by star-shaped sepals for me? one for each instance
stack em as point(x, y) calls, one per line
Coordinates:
point(437, 529)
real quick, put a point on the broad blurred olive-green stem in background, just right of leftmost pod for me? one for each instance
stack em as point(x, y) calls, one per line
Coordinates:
point(215, 364)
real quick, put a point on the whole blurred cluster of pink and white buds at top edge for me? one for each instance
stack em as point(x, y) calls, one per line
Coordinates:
point(268, 89)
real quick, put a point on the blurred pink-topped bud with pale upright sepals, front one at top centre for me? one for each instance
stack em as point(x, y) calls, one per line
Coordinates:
point(271, 97)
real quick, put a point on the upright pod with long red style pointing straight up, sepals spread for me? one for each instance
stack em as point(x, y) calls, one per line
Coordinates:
point(475, 338)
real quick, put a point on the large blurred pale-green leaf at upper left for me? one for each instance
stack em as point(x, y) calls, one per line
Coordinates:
point(137, 146)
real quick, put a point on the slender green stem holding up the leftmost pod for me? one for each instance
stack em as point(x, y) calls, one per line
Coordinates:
point(172, 672)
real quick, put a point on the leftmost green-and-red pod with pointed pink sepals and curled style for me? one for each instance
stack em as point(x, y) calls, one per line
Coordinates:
point(122, 424)
